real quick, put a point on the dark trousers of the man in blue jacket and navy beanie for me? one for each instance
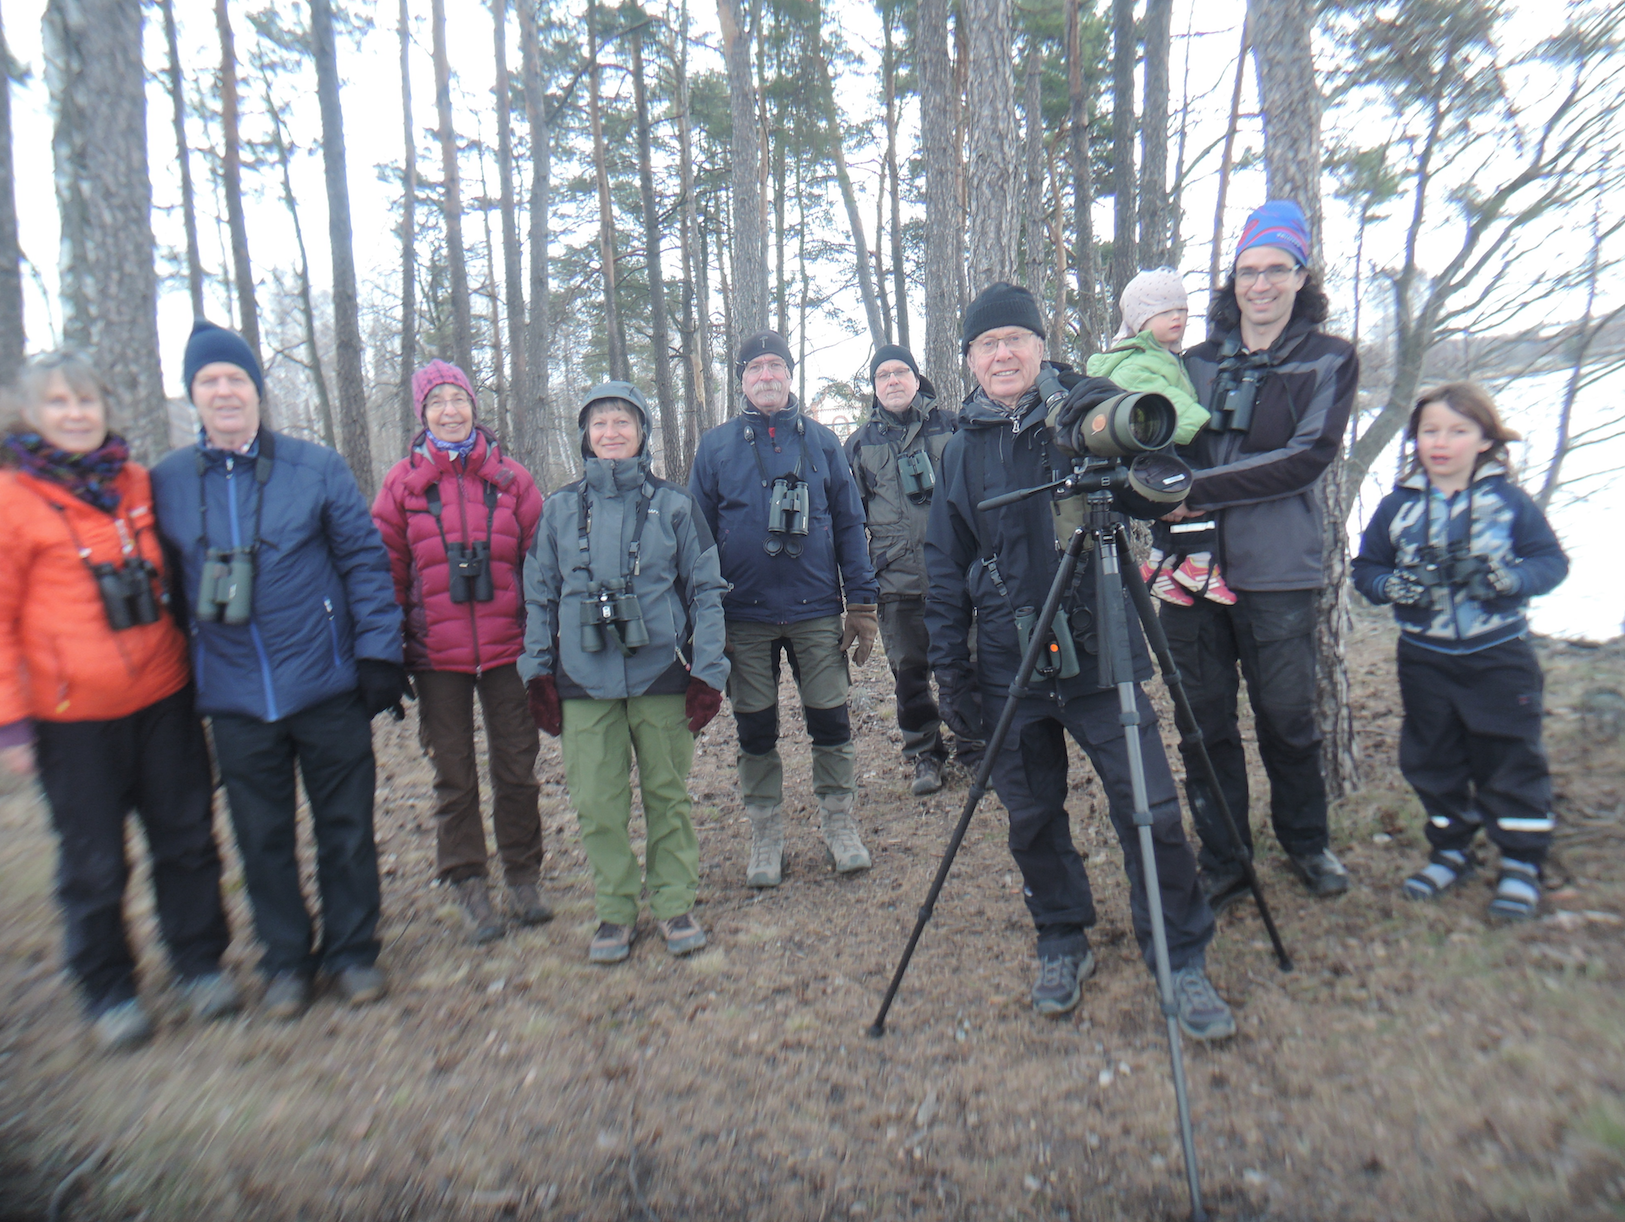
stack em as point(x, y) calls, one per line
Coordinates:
point(332, 747)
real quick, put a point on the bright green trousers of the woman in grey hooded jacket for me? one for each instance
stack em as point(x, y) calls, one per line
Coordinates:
point(600, 743)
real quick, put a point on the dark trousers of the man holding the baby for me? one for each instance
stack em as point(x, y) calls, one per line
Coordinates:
point(1270, 636)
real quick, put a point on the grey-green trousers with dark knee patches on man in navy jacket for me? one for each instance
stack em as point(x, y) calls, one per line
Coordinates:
point(821, 677)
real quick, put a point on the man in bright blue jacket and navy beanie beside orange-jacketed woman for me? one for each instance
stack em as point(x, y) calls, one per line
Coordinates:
point(297, 644)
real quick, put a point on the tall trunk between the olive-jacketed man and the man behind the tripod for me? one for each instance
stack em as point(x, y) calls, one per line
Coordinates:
point(945, 220)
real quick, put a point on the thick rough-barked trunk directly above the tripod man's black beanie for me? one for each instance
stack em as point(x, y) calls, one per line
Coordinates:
point(990, 106)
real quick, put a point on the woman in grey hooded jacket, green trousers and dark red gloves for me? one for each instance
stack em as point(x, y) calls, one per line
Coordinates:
point(625, 659)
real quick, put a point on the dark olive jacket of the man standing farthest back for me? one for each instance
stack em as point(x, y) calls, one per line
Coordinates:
point(898, 522)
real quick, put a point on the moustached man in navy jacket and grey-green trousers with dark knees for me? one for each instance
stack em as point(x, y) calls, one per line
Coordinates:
point(789, 570)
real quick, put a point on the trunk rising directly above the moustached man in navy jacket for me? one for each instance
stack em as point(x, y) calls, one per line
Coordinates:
point(750, 240)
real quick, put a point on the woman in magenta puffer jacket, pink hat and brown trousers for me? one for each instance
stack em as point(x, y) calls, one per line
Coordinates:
point(457, 518)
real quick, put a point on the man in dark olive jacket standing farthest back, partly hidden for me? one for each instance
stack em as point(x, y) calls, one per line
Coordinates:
point(896, 456)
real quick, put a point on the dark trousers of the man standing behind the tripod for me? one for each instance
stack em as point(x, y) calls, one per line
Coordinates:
point(1031, 781)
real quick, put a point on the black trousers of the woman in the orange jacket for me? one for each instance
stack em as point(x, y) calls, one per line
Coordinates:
point(154, 763)
